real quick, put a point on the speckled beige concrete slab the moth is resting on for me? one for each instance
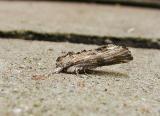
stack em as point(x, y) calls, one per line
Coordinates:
point(131, 89)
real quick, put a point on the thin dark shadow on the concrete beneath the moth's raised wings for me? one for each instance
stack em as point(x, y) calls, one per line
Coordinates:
point(108, 73)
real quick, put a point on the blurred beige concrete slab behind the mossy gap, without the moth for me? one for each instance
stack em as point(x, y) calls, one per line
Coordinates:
point(85, 19)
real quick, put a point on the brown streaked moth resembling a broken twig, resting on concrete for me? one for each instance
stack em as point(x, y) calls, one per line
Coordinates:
point(84, 60)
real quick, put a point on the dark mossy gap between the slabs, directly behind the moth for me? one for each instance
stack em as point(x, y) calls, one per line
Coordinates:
point(136, 42)
